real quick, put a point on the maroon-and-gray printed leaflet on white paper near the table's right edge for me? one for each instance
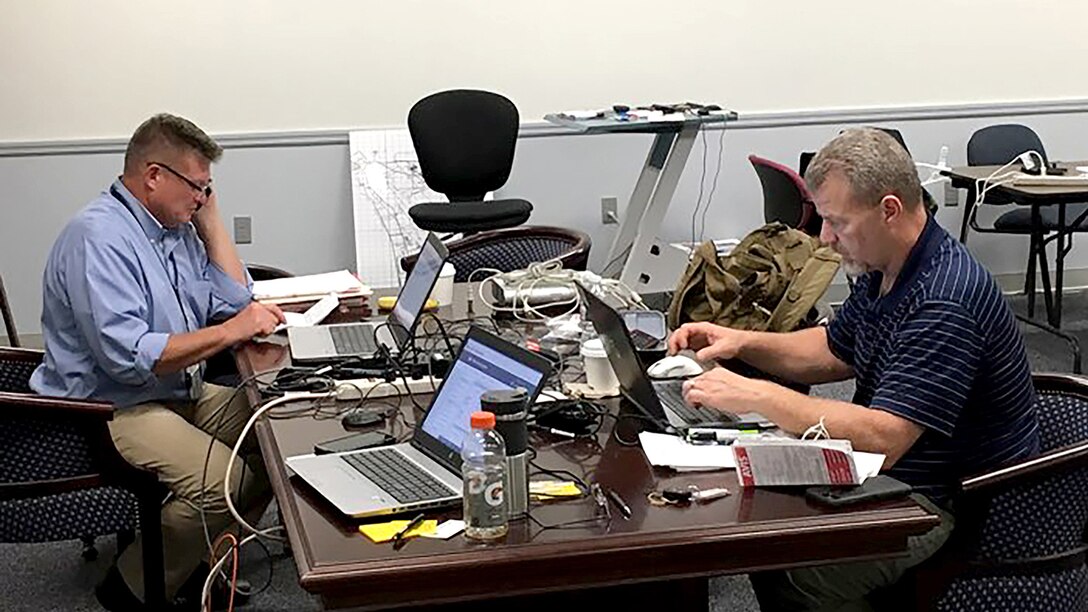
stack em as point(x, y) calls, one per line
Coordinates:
point(770, 462)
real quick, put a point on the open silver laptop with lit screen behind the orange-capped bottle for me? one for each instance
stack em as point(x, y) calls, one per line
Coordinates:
point(426, 472)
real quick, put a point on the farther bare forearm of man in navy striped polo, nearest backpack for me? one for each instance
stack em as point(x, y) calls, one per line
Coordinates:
point(801, 357)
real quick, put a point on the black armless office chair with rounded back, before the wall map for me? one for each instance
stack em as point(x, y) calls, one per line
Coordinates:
point(465, 143)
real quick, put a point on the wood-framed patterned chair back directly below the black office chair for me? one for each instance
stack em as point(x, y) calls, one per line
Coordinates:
point(514, 249)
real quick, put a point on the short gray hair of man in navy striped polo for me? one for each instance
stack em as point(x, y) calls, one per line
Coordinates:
point(873, 164)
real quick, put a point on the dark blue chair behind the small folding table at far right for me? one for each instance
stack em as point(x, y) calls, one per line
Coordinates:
point(997, 145)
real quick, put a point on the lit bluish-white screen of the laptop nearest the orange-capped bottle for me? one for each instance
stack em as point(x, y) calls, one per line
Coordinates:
point(486, 363)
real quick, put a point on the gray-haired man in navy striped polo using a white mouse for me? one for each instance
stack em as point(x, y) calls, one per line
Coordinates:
point(944, 388)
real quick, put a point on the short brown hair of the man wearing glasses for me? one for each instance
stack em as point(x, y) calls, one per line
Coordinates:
point(170, 137)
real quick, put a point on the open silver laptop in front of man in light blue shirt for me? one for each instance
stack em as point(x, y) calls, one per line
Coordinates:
point(366, 339)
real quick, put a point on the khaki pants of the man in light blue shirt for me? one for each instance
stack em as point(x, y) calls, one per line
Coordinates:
point(172, 440)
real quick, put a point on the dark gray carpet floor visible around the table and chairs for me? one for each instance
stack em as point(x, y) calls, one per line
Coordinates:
point(54, 577)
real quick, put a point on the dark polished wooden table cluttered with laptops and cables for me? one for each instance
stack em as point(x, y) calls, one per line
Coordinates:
point(660, 557)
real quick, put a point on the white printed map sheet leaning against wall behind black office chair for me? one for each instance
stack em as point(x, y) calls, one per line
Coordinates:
point(386, 182)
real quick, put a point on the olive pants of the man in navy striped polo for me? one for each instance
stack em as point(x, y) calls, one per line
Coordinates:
point(844, 587)
